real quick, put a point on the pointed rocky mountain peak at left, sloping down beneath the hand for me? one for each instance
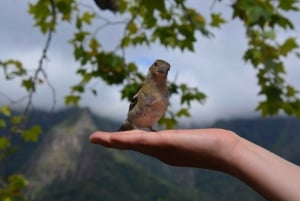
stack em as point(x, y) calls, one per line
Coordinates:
point(66, 166)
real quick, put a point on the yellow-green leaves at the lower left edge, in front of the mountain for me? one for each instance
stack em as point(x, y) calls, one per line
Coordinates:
point(11, 127)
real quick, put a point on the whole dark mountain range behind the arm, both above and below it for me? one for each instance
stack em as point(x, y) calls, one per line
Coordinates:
point(64, 166)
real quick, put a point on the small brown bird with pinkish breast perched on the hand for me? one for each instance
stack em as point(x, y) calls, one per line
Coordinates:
point(151, 101)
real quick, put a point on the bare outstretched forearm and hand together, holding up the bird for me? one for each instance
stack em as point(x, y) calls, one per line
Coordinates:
point(270, 175)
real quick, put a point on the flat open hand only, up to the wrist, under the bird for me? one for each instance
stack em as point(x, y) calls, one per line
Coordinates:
point(203, 148)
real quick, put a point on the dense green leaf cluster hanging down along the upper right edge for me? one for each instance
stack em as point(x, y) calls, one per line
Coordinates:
point(262, 19)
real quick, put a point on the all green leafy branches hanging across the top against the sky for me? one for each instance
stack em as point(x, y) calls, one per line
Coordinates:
point(173, 24)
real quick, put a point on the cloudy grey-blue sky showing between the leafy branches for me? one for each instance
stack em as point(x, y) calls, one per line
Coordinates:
point(216, 67)
